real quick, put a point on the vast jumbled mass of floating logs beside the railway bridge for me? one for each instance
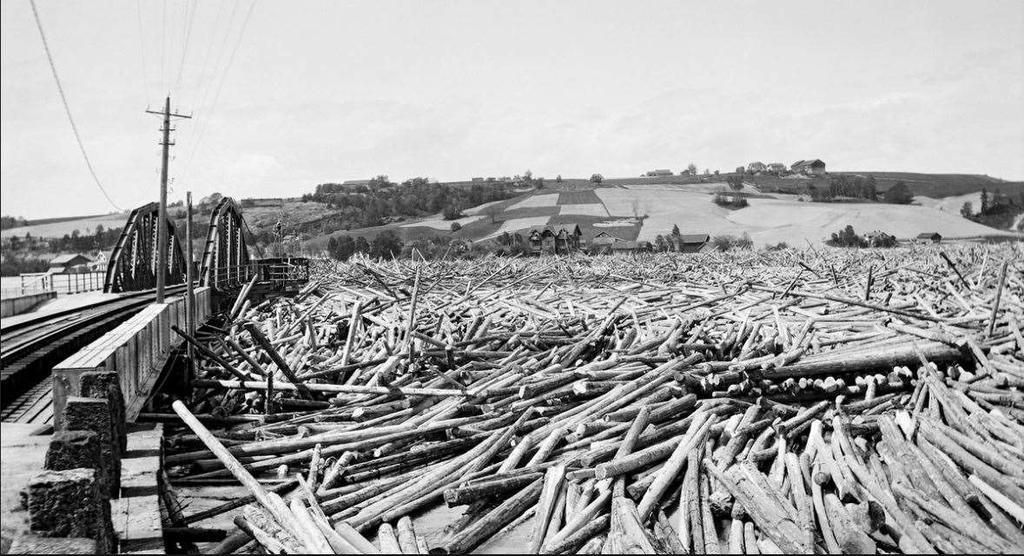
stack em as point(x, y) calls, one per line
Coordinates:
point(793, 402)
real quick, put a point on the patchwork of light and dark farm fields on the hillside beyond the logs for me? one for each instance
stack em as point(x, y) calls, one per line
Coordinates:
point(771, 219)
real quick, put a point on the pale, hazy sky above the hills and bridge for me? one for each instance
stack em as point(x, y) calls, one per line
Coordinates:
point(285, 96)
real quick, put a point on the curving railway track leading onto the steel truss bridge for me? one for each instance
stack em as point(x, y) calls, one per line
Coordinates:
point(30, 350)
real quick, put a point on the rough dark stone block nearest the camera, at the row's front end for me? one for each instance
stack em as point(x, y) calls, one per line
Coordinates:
point(70, 504)
